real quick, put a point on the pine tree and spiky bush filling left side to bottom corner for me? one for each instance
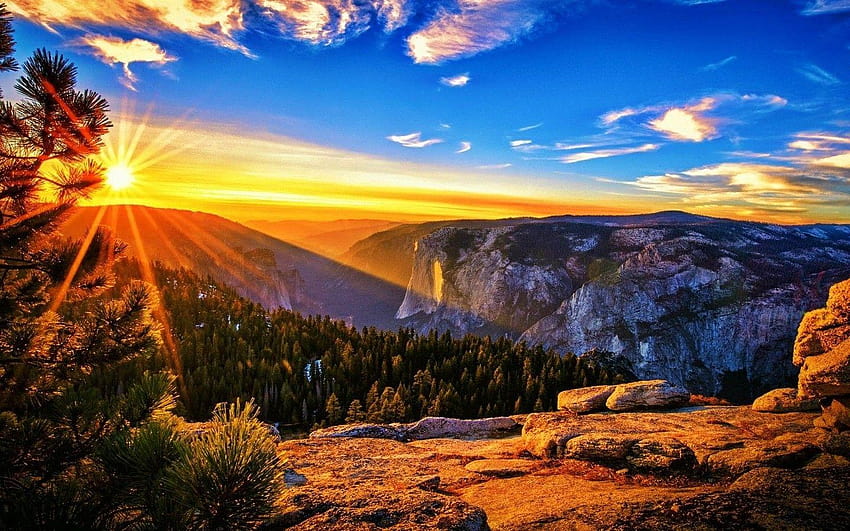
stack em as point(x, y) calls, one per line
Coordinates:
point(74, 455)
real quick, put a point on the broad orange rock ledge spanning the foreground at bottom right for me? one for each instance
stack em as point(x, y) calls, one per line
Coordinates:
point(693, 468)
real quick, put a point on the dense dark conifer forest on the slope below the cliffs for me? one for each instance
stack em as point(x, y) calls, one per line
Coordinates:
point(311, 370)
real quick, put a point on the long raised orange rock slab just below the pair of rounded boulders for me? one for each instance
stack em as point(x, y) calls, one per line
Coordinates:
point(720, 440)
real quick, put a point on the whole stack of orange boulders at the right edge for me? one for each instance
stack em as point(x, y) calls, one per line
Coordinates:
point(822, 350)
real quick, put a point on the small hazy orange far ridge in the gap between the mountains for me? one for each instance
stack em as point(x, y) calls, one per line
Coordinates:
point(328, 238)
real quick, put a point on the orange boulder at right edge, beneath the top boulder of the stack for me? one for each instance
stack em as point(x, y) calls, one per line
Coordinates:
point(827, 374)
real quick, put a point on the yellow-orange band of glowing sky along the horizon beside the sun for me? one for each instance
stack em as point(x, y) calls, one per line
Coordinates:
point(248, 176)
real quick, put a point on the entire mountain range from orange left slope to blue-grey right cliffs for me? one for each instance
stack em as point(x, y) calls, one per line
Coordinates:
point(708, 303)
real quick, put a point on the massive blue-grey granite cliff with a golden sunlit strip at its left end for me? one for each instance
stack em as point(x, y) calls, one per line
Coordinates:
point(712, 305)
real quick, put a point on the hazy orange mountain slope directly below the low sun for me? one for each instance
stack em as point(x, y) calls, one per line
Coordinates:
point(260, 267)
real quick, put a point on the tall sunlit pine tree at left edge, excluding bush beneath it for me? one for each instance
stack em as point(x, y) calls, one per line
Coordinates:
point(55, 123)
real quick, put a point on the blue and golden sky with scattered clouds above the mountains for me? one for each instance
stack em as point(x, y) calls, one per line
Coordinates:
point(737, 108)
